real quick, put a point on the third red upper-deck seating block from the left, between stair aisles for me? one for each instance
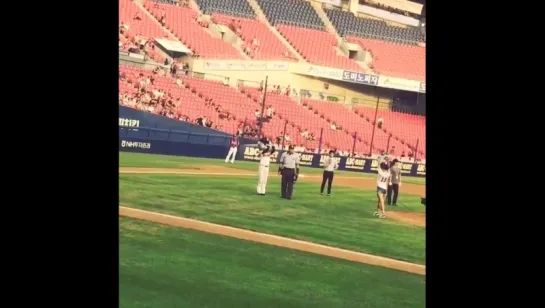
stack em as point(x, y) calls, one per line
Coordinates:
point(270, 47)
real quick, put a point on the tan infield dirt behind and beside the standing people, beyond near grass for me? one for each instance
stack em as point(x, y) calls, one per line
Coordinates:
point(413, 218)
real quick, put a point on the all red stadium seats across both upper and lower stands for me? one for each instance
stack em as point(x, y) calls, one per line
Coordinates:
point(393, 49)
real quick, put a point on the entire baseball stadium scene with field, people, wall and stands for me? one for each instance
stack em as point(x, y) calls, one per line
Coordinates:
point(233, 116)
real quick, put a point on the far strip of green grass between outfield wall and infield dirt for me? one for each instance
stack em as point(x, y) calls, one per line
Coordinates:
point(127, 159)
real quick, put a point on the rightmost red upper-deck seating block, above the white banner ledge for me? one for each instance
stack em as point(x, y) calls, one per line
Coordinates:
point(396, 60)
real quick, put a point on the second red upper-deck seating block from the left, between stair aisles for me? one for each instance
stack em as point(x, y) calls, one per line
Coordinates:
point(181, 21)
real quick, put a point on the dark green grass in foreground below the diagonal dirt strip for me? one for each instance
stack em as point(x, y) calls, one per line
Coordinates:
point(163, 267)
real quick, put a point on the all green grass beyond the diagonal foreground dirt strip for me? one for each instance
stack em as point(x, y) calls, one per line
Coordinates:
point(345, 220)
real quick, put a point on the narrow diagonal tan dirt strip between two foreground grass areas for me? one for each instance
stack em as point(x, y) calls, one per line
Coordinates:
point(271, 240)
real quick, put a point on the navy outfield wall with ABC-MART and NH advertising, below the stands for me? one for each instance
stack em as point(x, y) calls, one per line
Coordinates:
point(213, 146)
